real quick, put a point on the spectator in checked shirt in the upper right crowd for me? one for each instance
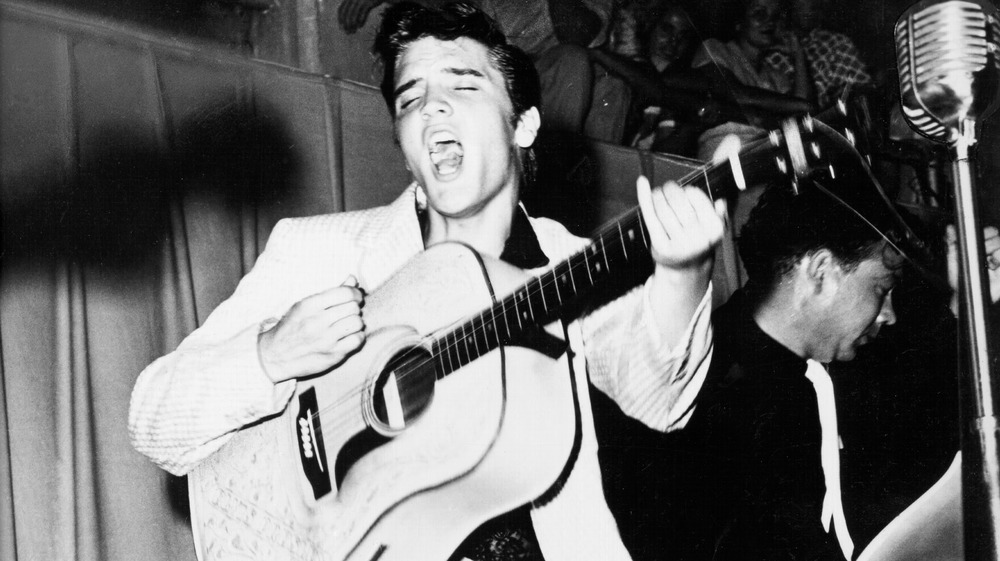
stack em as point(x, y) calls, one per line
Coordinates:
point(833, 61)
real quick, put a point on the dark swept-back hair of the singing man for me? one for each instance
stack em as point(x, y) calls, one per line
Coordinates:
point(407, 22)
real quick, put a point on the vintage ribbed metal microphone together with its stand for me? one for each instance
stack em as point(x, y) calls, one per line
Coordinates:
point(948, 70)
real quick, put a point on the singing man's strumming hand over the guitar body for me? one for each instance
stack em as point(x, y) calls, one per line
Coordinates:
point(316, 334)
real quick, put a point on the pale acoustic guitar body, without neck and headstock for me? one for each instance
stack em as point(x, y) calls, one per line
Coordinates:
point(495, 434)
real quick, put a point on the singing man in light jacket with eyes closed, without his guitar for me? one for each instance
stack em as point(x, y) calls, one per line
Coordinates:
point(464, 107)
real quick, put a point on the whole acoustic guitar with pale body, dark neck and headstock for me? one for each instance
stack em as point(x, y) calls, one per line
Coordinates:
point(460, 406)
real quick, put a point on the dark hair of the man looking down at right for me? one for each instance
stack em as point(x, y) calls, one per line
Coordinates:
point(783, 227)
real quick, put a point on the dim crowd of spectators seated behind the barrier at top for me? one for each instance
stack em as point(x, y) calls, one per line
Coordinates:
point(677, 76)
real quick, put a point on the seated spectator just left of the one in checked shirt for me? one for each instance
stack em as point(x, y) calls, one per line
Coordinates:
point(742, 61)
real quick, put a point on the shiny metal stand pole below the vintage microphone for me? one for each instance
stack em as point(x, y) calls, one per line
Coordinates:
point(977, 388)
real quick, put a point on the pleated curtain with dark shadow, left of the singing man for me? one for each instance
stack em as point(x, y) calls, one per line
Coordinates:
point(139, 179)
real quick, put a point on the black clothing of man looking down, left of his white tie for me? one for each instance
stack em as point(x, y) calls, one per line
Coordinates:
point(744, 479)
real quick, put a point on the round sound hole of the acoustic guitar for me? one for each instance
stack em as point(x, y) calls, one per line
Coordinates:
point(404, 389)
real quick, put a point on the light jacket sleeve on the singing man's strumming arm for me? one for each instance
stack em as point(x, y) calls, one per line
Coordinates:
point(187, 404)
